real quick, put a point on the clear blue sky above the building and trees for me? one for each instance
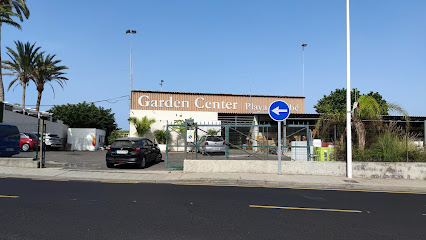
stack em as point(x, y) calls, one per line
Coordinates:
point(227, 46)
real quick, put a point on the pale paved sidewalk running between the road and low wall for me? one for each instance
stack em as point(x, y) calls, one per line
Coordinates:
point(232, 179)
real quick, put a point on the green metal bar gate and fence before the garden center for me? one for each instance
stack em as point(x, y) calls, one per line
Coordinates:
point(241, 142)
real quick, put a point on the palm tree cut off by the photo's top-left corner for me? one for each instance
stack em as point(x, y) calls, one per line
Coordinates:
point(9, 10)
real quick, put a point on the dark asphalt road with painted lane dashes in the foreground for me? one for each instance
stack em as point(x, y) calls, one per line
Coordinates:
point(33, 209)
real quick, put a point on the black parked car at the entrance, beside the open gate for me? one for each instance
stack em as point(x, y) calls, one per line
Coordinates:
point(137, 151)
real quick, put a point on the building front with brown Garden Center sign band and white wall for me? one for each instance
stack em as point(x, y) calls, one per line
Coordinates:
point(167, 107)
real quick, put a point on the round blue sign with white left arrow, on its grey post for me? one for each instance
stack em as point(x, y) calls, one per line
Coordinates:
point(279, 111)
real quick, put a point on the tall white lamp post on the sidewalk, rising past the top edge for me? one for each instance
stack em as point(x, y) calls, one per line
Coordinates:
point(348, 96)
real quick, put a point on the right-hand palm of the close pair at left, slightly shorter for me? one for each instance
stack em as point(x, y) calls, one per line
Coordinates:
point(46, 71)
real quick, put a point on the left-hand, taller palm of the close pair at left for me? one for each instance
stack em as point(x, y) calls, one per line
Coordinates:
point(22, 64)
